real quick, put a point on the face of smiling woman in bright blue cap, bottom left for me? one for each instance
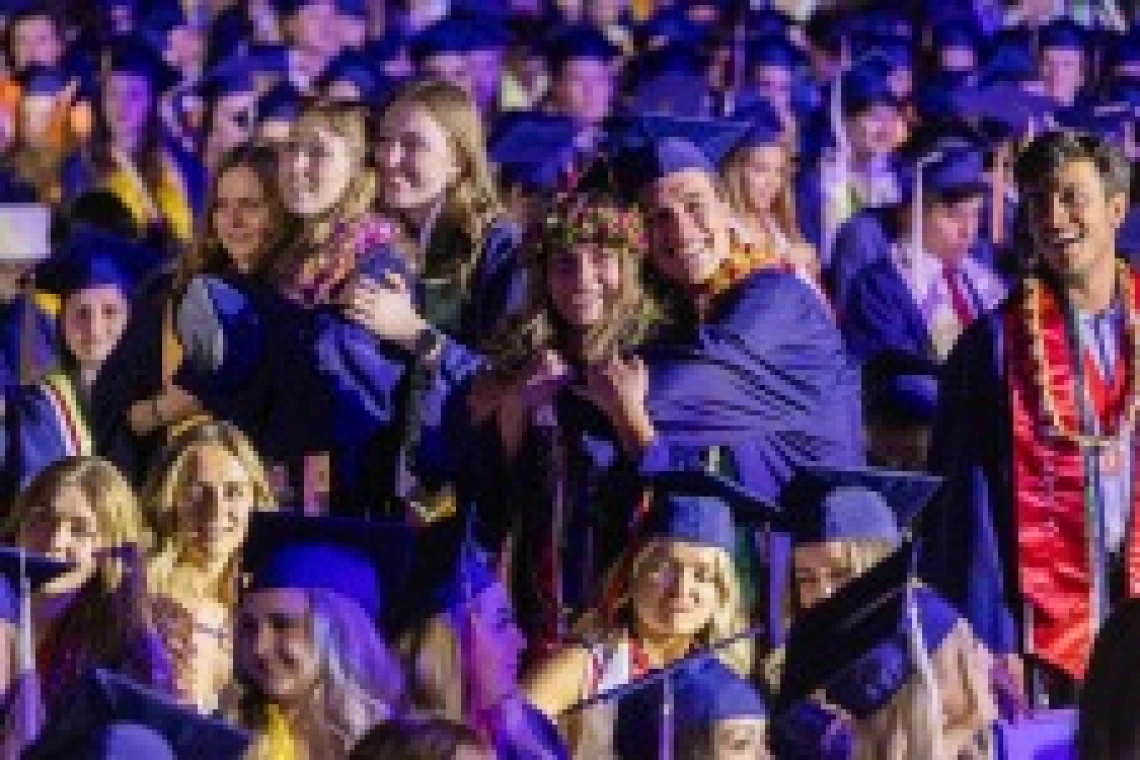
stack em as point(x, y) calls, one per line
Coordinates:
point(275, 648)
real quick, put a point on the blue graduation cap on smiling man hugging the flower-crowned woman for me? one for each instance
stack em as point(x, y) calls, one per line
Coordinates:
point(642, 150)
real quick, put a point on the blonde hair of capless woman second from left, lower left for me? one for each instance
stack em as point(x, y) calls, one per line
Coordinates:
point(161, 496)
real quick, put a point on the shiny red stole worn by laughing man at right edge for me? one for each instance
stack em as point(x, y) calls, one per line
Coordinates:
point(1051, 512)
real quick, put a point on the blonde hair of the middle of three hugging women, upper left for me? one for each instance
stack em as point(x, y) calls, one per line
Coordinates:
point(351, 122)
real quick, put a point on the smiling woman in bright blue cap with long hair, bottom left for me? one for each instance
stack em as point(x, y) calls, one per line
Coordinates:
point(314, 674)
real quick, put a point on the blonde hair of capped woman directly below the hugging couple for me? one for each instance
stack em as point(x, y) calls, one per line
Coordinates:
point(616, 619)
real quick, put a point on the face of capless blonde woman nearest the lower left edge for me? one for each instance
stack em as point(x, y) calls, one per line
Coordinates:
point(66, 529)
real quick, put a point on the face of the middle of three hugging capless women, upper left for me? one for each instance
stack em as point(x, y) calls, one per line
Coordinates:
point(316, 170)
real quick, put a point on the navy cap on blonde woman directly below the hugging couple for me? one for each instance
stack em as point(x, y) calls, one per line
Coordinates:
point(703, 509)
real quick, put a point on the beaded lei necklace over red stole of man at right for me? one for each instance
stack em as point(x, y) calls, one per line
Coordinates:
point(1033, 307)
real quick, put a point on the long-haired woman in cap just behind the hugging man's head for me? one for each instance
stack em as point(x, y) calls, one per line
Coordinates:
point(759, 177)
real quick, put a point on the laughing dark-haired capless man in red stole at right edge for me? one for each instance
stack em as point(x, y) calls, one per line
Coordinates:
point(1036, 537)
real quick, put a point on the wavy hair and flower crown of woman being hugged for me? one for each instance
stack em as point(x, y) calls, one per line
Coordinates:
point(573, 220)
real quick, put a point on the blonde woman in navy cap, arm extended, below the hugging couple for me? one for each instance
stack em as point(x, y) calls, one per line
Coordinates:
point(678, 594)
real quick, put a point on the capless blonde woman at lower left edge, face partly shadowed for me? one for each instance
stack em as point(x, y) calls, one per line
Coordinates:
point(82, 511)
